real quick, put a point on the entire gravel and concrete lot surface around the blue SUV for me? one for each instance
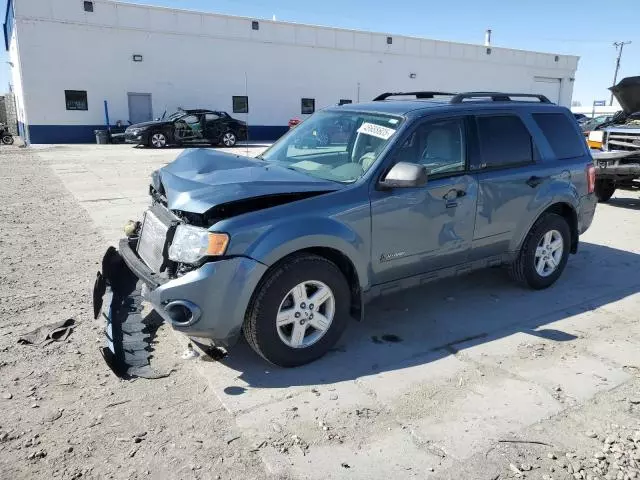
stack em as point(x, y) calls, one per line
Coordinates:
point(472, 378)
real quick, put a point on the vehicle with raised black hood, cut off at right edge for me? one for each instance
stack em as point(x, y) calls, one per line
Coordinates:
point(617, 142)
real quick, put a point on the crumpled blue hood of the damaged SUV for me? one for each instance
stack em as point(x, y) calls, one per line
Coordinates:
point(199, 180)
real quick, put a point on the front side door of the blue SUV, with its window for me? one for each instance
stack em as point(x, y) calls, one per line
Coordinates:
point(424, 229)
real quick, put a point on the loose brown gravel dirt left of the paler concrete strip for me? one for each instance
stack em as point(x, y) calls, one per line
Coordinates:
point(64, 414)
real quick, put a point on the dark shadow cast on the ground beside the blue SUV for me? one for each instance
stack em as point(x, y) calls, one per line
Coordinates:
point(425, 324)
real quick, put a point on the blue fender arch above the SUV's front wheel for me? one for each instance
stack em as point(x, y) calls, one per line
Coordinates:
point(294, 235)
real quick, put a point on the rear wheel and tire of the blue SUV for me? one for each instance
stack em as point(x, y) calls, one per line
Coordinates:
point(544, 253)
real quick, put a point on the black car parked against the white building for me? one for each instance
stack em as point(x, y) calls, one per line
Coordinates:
point(188, 126)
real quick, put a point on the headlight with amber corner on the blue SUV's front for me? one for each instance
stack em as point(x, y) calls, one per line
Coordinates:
point(190, 244)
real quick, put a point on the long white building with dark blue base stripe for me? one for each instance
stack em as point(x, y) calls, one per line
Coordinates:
point(70, 56)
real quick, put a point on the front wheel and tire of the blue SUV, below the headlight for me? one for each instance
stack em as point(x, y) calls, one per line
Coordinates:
point(298, 312)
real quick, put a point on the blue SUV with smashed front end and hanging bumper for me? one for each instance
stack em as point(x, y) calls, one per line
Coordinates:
point(286, 247)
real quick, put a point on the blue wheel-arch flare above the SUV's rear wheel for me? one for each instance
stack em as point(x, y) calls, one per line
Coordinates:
point(554, 192)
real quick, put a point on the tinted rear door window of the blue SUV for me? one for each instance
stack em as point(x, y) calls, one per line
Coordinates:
point(504, 141)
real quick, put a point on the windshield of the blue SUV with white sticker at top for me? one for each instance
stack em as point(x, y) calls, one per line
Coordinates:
point(337, 146)
